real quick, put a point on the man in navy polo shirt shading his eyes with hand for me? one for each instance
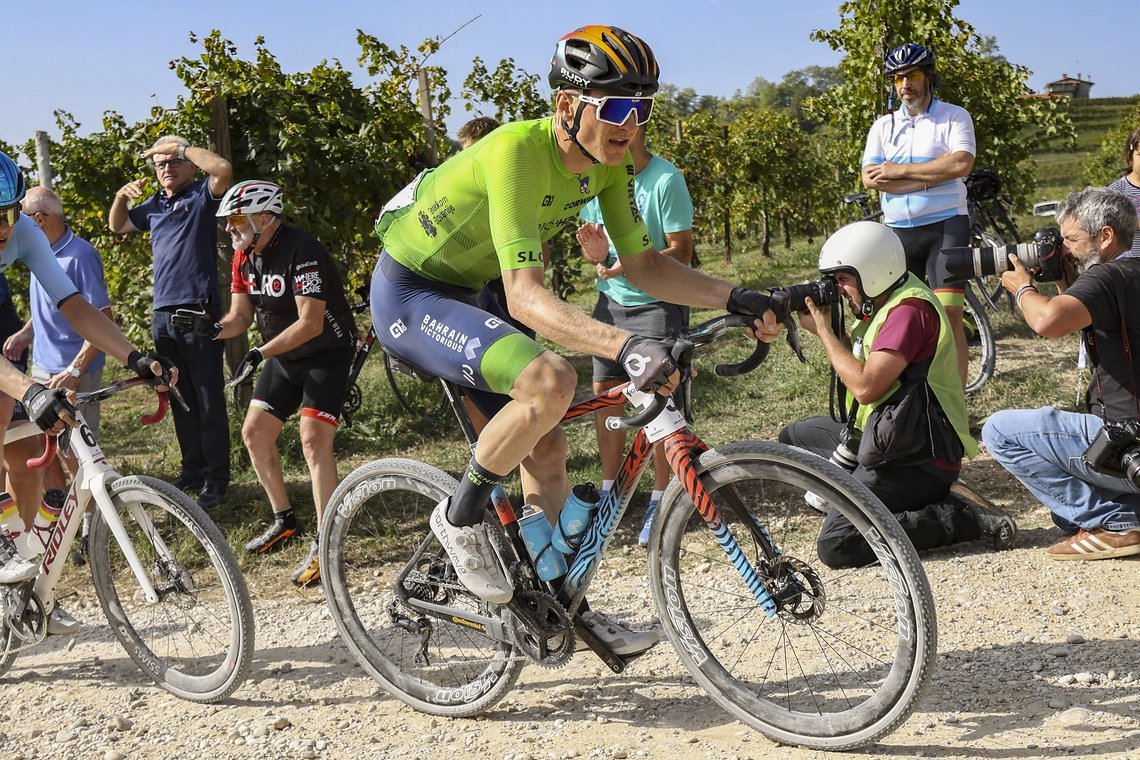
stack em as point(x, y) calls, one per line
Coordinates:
point(184, 239)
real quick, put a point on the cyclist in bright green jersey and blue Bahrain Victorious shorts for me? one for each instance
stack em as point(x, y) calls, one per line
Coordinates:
point(487, 211)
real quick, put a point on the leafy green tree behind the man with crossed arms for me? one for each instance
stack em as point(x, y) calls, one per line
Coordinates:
point(1011, 127)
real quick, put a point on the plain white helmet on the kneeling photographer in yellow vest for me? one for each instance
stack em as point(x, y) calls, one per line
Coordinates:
point(870, 251)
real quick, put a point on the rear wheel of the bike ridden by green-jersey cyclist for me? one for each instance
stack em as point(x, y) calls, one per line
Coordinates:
point(438, 664)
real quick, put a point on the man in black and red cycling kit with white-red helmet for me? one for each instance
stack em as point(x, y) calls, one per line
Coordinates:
point(287, 279)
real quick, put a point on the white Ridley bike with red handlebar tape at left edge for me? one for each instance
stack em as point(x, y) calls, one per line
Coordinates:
point(164, 574)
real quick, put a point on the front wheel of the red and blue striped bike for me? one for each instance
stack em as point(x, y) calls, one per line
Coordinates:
point(848, 653)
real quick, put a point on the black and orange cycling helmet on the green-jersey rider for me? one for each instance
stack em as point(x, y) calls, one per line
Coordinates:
point(607, 59)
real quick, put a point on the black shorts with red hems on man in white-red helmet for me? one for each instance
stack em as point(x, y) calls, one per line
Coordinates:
point(315, 385)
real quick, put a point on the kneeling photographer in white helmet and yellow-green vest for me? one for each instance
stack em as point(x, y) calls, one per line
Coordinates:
point(905, 401)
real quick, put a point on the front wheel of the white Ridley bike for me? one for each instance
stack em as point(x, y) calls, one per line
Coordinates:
point(197, 641)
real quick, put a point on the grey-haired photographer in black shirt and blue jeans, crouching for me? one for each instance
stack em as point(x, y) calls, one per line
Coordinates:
point(1069, 460)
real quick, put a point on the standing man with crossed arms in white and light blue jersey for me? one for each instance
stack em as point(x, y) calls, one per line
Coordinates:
point(917, 158)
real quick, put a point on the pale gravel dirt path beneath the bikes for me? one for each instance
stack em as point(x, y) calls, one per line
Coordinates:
point(1037, 660)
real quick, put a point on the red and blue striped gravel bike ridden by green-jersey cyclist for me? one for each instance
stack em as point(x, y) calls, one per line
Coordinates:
point(805, 655)
